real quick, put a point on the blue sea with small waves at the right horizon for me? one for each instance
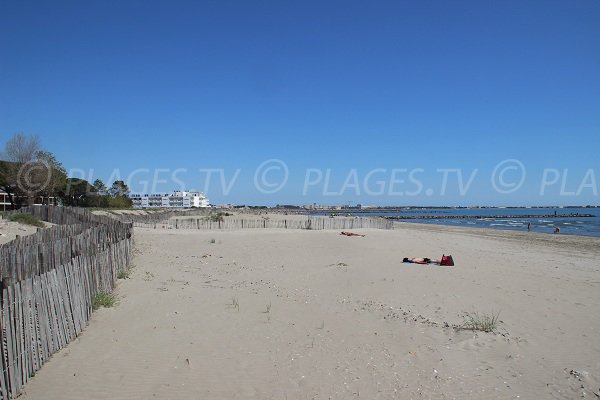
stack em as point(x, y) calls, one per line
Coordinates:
point(499, 218)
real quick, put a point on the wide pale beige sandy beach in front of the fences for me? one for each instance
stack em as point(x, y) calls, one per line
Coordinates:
point(281, 314)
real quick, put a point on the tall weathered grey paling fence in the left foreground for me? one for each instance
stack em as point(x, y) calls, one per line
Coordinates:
point(49, 280)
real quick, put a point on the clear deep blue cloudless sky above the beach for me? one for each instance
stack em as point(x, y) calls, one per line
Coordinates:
point(353, 87)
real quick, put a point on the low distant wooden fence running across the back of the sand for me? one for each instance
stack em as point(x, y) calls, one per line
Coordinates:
point(309, 223)
